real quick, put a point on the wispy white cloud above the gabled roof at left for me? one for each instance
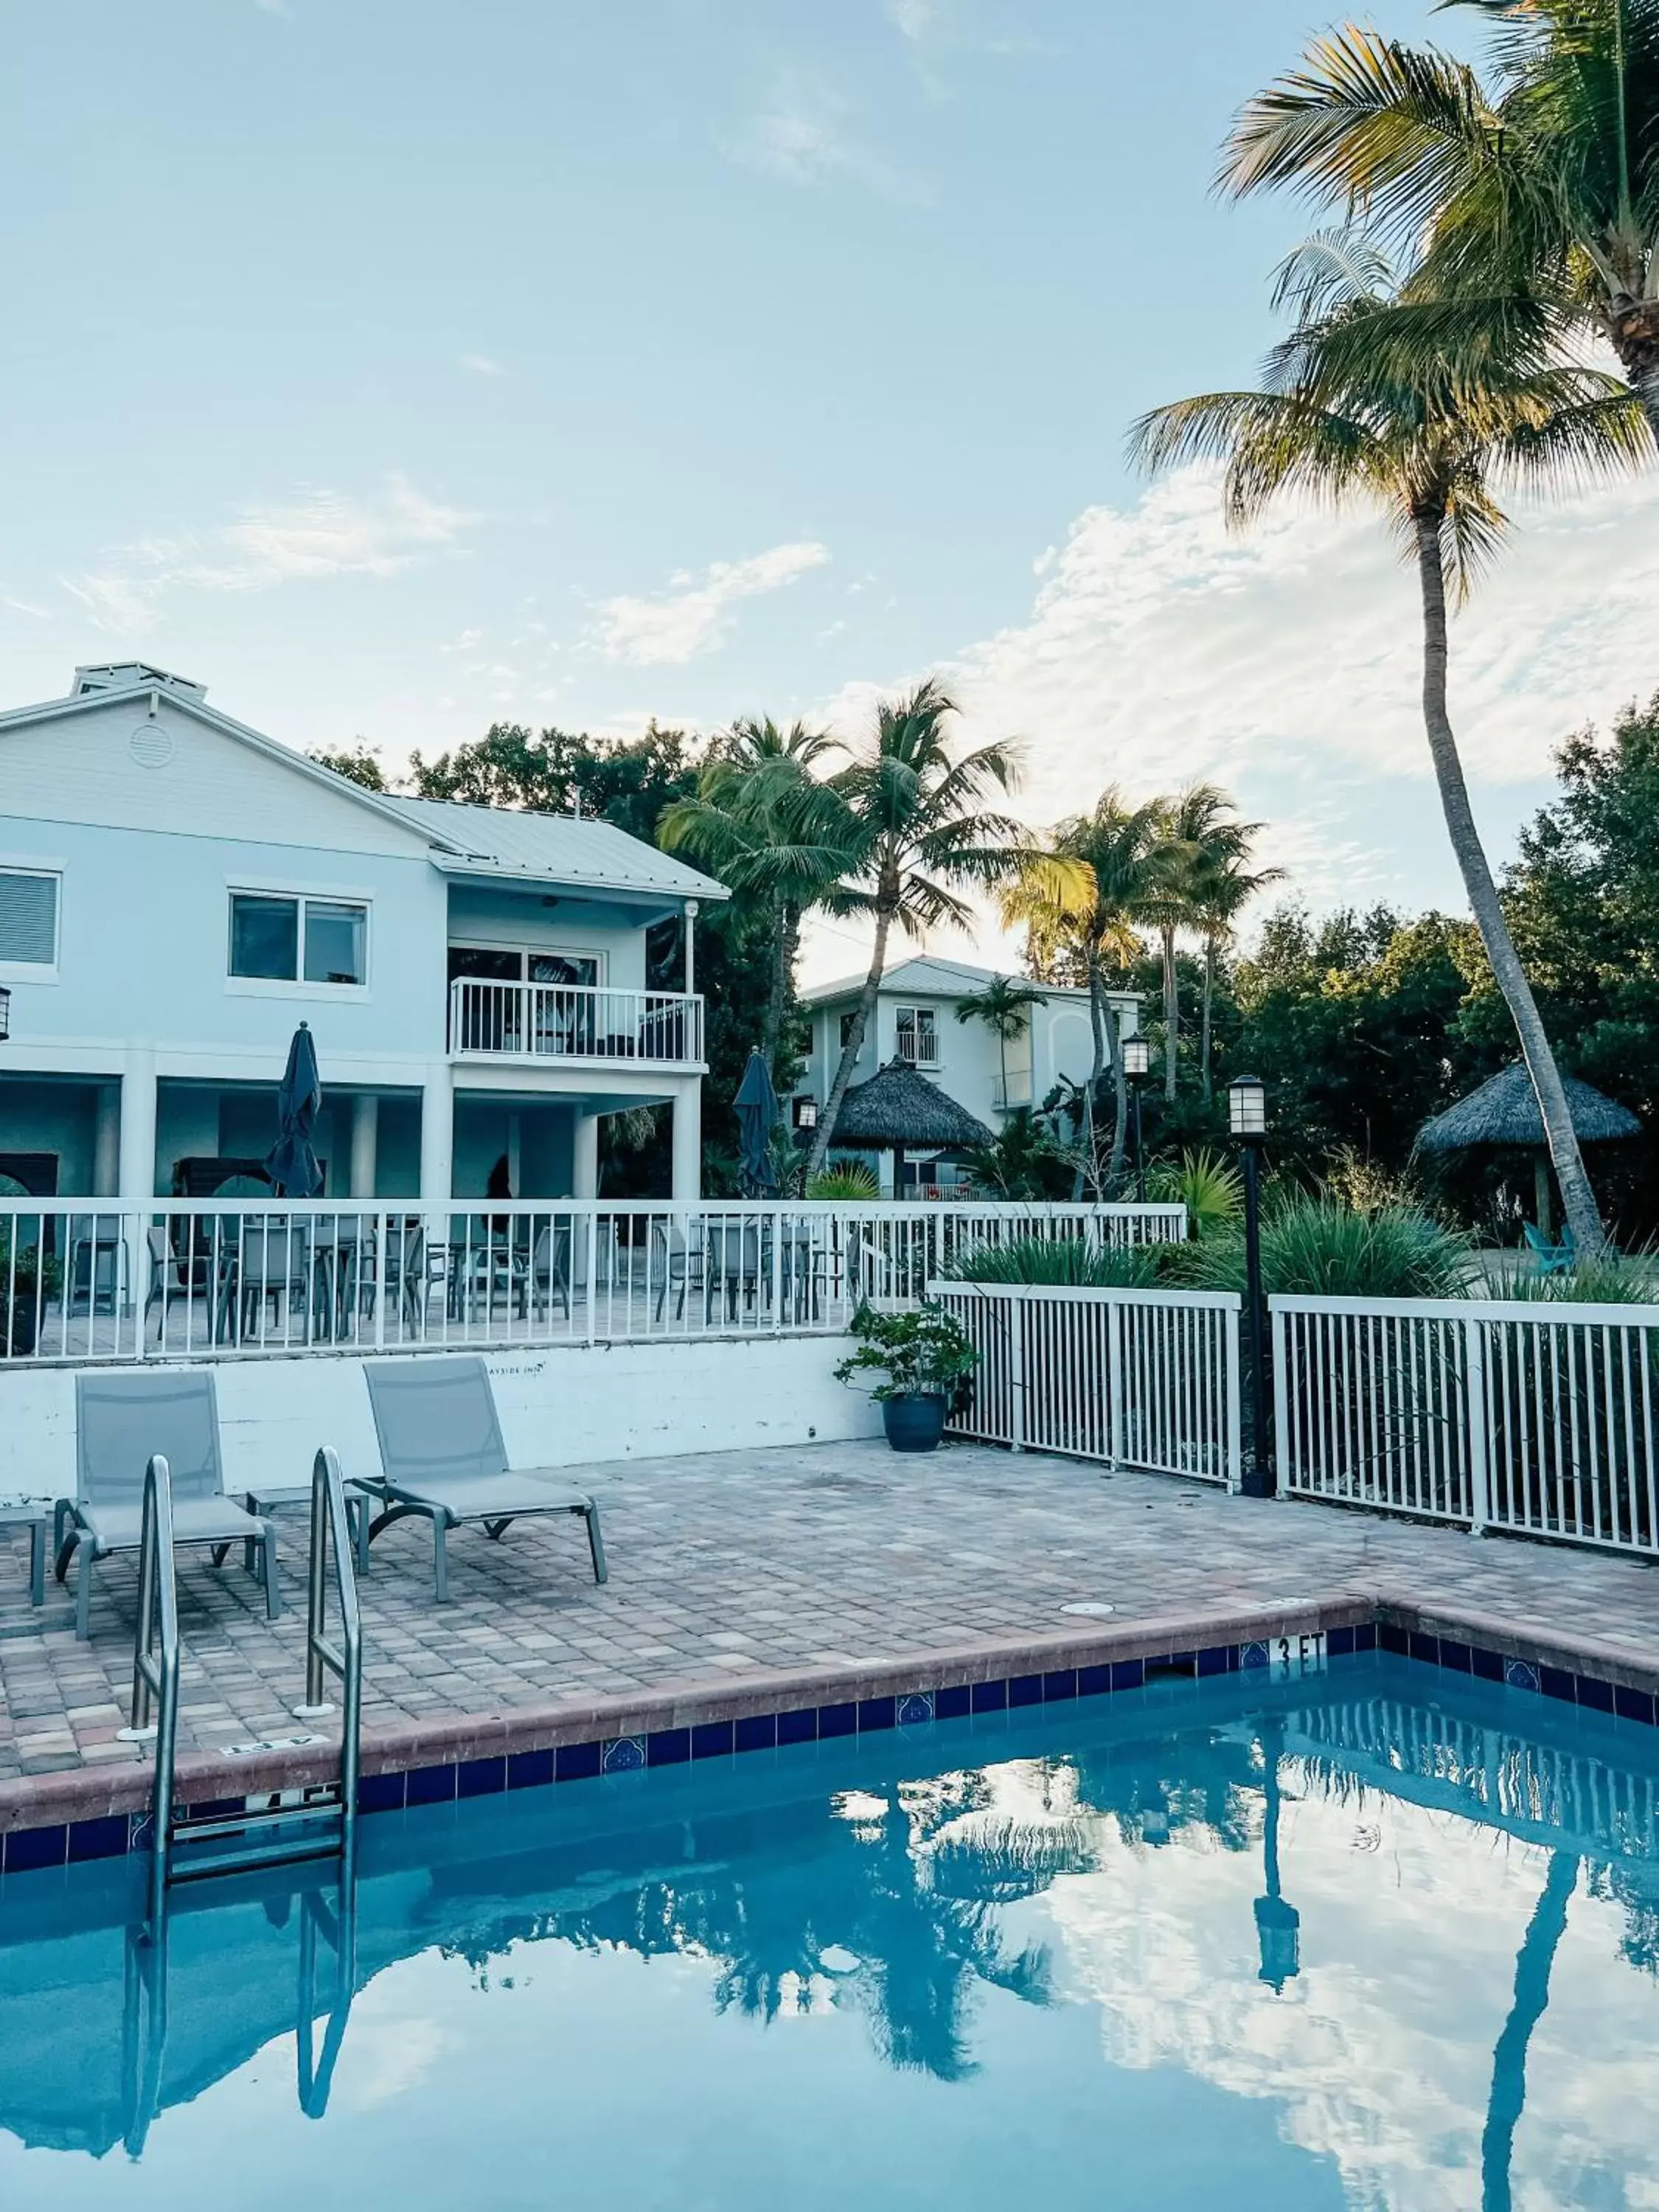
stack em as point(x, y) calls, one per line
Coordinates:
point(320, 534)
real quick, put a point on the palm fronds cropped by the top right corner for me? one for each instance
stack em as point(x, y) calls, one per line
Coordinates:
point(1547, 182)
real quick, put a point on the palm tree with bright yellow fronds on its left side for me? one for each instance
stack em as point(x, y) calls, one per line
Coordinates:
point(1092, 893)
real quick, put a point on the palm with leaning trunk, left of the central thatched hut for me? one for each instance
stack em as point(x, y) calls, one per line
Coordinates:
point(912, 833)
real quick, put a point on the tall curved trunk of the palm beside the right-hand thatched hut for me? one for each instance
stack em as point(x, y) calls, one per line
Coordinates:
point(1483, 897)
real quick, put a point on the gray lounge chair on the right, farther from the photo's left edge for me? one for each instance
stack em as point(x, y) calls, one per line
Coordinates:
point(444, 1457)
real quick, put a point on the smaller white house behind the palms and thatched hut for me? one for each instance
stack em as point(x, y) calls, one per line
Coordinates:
point(917, 1021)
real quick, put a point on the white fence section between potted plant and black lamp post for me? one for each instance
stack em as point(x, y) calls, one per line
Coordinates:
point(1129, 1377)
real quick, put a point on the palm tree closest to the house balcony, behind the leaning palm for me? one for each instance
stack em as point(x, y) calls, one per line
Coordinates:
point(740, 826)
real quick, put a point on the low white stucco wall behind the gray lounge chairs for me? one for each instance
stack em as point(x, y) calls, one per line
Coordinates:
point(559, 1408)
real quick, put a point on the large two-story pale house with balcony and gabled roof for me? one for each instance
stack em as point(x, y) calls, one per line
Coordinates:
point(178, 893)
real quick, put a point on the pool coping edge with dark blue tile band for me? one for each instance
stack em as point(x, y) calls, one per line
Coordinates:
point(103, 1813)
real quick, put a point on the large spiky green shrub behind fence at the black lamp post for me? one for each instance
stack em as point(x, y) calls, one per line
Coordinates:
point(1315, 1246)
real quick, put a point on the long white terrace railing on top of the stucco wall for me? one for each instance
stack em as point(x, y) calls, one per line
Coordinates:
point(231, 1277)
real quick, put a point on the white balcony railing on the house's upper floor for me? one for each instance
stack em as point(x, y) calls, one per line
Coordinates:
point(554, 1021)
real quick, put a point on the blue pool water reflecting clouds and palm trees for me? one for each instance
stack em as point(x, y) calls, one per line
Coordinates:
point(1377, 1939)
